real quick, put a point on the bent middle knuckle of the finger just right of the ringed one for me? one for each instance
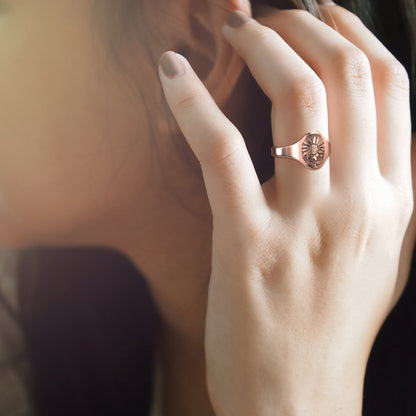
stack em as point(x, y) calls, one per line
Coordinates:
point(353, 65)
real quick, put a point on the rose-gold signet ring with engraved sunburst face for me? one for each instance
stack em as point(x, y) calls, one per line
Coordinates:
point(311, 150)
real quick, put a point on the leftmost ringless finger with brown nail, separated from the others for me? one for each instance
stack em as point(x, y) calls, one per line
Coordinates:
point(232, 185)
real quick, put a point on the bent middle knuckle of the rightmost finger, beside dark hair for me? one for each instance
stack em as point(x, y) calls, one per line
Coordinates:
point(391, 74)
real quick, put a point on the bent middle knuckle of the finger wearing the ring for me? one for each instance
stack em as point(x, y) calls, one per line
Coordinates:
point(307, 90)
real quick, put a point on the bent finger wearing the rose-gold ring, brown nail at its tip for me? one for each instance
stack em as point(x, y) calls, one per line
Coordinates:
point(298, 104)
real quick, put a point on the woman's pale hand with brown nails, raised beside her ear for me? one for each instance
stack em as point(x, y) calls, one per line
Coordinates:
point(304, 267)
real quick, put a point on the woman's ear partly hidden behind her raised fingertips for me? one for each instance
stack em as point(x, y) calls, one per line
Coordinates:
point(206, 48)
